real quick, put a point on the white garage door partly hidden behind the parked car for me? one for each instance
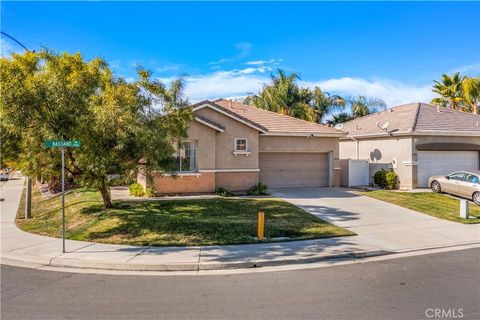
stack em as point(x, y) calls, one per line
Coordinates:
point(432, 163)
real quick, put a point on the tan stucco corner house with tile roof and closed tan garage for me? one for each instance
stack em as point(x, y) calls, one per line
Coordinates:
point(235, 146)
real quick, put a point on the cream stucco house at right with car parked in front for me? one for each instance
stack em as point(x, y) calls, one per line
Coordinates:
point(416, 140)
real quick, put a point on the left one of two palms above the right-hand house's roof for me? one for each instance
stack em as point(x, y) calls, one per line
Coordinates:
point(450, 91)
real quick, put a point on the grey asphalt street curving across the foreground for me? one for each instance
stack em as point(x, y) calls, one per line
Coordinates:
point(404, 288)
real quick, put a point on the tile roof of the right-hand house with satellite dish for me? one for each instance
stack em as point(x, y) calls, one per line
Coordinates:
point(414, 118)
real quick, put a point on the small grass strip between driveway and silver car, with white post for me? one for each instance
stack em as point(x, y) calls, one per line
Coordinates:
point(433, 204)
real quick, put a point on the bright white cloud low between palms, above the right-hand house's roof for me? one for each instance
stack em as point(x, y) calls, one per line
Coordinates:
point(391, 91)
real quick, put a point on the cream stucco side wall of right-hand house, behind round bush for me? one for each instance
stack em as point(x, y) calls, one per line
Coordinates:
point(383, 153)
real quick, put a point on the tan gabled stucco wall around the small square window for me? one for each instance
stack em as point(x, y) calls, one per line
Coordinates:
point(225, 142)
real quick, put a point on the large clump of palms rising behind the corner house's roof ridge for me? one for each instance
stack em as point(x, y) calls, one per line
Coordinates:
point(284, 96)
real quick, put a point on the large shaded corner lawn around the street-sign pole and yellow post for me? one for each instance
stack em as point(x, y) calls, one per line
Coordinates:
point(172, 222)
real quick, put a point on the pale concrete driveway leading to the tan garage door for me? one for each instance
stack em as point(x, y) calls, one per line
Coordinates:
point(381, 224)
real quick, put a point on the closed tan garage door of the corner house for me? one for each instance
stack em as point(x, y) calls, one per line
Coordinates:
point(282, 170)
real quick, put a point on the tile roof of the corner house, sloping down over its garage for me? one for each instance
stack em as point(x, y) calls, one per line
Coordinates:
point(270, 122)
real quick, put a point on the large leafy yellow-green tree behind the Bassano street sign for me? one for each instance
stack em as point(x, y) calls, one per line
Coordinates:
point(47, 95)
